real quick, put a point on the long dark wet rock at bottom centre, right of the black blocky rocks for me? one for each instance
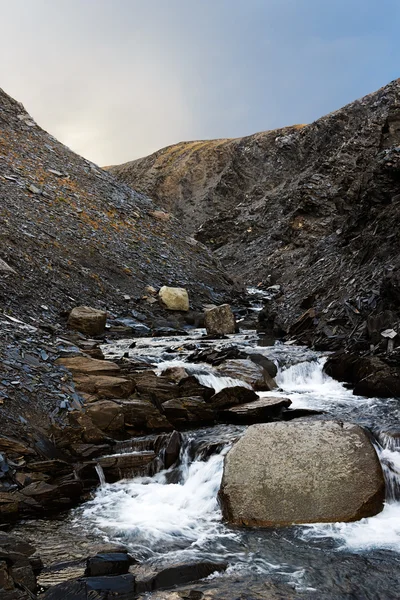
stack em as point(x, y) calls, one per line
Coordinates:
point(148, 580)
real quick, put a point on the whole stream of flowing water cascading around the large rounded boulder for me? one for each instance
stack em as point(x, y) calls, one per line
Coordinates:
point(174, 515)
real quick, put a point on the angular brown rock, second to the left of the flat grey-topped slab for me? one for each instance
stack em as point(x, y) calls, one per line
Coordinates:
point(141, 415)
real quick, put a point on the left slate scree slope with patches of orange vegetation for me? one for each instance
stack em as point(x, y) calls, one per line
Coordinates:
point(71, 234)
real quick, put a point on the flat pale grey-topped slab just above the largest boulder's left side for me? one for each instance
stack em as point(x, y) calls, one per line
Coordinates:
point(259, 411)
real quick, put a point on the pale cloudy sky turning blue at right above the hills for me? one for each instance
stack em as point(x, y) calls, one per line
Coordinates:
point(116, 80)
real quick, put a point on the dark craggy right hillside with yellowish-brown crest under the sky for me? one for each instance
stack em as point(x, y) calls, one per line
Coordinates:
point(314, 208)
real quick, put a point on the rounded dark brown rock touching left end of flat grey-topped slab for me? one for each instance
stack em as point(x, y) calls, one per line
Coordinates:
point(182, 412)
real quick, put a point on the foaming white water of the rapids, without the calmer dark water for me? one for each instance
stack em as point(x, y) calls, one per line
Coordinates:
point(180, 520)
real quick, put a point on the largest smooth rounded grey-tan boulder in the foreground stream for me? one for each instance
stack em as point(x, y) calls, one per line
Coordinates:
point(301, 472)
